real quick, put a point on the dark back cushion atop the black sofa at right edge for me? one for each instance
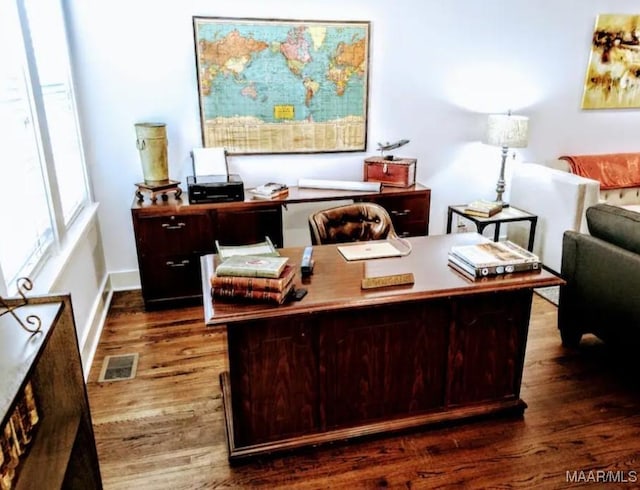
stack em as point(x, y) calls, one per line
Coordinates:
point(615, 225)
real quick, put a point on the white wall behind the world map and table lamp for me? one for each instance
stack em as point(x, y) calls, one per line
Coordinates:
point(436, 69)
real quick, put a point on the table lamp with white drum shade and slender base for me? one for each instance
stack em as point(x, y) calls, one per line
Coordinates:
point(506, 131)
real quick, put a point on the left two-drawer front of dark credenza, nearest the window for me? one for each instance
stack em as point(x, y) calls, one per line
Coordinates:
point(169, 250)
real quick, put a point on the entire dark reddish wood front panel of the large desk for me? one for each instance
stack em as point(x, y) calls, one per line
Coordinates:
point(317, 373)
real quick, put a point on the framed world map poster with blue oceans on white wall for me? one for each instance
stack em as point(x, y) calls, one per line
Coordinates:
point(282, 86)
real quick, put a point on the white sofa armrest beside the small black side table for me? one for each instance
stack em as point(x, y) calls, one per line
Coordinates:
point(558, 198)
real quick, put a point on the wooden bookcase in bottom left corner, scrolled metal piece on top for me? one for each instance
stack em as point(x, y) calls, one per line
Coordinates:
point(62, 451)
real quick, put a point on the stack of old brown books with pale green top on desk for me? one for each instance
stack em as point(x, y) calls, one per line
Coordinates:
point(252, 277)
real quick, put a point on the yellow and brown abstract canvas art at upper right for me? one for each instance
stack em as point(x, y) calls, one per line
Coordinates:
point(613, 74)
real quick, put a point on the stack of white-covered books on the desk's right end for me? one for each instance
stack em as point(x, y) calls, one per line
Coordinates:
point(492, 259)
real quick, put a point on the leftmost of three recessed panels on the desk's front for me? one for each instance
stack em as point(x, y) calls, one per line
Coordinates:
point(274, 376)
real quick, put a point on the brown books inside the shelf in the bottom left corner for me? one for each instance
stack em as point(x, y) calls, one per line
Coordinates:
point(16, 435)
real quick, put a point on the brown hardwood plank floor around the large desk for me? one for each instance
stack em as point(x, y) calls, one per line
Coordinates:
point(164, 428)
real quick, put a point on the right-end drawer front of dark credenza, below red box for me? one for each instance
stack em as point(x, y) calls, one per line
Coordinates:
point(410, 214)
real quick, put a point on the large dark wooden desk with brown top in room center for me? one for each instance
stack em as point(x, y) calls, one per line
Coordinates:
point(344, 362)
